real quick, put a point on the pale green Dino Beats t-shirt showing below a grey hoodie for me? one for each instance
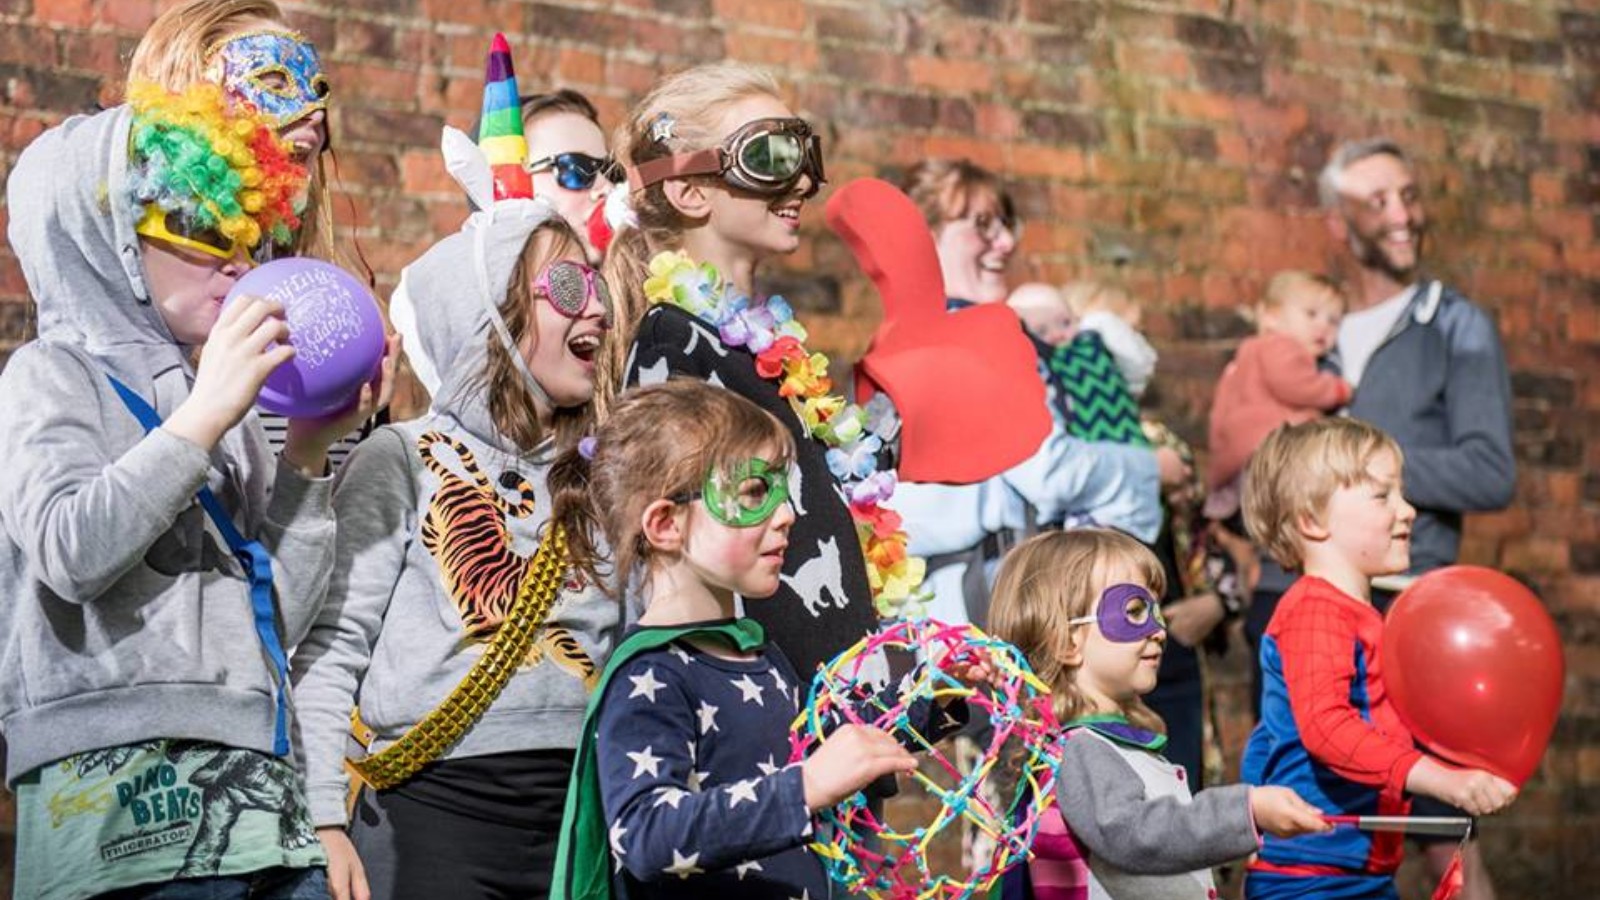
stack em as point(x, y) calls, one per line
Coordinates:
point(158, 811)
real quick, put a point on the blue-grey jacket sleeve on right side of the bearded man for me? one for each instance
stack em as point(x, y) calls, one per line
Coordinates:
point(1476, 472)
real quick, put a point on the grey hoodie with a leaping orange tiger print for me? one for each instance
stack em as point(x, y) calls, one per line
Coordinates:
point(393, 633)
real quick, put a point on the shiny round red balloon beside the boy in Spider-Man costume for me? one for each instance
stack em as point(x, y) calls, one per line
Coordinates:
point(1474, 667)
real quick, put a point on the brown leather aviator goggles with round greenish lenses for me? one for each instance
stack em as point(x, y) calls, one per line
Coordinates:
point(766, 158)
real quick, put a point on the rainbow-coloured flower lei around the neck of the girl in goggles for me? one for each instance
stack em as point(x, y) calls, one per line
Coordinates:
point(854, 435)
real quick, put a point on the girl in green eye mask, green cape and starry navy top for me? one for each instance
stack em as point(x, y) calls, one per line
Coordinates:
point(687, 745)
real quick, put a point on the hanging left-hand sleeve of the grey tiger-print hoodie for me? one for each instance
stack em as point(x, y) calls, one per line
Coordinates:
point(375, 505)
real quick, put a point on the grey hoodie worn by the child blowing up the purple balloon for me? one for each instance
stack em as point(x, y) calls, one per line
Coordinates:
point(126, 616)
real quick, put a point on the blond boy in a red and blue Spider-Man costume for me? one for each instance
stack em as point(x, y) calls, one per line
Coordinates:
point(1326, 499)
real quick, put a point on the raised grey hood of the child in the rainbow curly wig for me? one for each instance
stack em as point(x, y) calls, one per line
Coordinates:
point(73, 235)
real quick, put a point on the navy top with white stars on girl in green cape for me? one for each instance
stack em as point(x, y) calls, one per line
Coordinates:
point(692, 753)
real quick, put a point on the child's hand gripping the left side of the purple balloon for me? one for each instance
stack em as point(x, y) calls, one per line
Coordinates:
point(234, 366)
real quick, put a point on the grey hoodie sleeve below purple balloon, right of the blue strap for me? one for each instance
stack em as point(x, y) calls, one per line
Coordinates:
point(300, 534)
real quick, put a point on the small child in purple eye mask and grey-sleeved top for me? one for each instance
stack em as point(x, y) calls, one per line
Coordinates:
point(1082, 608)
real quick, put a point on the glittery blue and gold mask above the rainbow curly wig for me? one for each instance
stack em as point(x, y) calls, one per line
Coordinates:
point(276, 71)
